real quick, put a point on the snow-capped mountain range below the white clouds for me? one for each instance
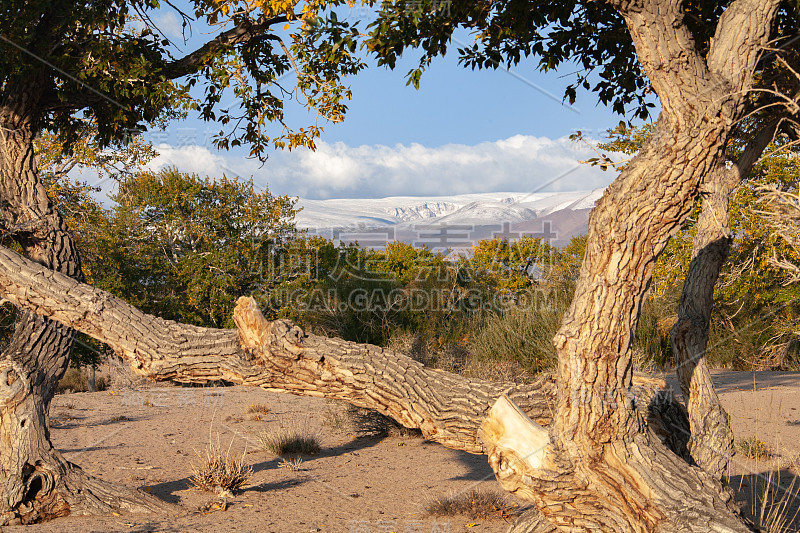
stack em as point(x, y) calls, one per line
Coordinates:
point(470, 217)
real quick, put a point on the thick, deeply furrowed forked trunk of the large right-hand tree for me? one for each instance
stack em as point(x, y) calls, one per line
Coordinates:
point(604, 471)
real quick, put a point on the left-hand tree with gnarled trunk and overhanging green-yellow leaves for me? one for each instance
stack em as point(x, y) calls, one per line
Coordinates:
point(104, 62)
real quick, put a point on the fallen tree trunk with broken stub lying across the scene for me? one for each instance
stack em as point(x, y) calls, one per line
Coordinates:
point(279, 356)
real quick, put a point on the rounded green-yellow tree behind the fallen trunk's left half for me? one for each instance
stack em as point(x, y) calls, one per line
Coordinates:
point(186, 248)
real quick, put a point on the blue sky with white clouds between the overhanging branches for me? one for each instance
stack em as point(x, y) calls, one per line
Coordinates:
point(464, 131)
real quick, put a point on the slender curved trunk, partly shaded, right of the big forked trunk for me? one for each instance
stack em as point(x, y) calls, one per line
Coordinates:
point(711, 440)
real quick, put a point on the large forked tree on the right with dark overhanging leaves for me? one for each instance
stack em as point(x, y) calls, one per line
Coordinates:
point(700, 59)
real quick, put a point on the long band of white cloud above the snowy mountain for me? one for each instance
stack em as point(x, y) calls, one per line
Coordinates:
point(335, 170)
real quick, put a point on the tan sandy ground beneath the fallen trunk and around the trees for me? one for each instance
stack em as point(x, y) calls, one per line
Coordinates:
point(148, 438)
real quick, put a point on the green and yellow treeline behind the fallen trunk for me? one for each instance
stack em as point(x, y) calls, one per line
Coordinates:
point(185, 248)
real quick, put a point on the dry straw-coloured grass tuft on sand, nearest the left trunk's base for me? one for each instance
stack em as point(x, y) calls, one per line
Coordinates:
point(220, 472)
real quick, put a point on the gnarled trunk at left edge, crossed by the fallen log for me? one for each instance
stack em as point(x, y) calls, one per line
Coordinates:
point(37, 482)
